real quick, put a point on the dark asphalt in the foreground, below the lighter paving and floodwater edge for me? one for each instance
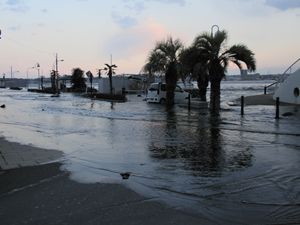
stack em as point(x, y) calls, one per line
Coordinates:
point(45, 195)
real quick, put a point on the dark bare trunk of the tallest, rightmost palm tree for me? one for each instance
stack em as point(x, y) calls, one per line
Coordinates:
point(215, 92)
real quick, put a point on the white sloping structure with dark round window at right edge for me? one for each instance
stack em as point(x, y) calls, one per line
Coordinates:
point(288, 87)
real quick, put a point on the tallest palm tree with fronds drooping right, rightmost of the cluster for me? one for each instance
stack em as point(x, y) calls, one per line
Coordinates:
point(218, 56)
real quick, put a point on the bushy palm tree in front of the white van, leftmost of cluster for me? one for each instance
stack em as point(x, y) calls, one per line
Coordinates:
point(164, 59)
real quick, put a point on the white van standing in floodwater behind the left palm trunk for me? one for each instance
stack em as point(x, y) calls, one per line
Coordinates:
point(157, 94)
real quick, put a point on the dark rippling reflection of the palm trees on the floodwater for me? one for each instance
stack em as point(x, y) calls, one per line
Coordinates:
point(198, 146)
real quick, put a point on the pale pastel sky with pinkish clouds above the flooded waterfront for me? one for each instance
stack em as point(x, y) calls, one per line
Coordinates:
point(88, 33)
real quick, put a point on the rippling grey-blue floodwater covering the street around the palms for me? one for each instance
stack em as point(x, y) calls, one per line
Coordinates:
point(230, 169)
